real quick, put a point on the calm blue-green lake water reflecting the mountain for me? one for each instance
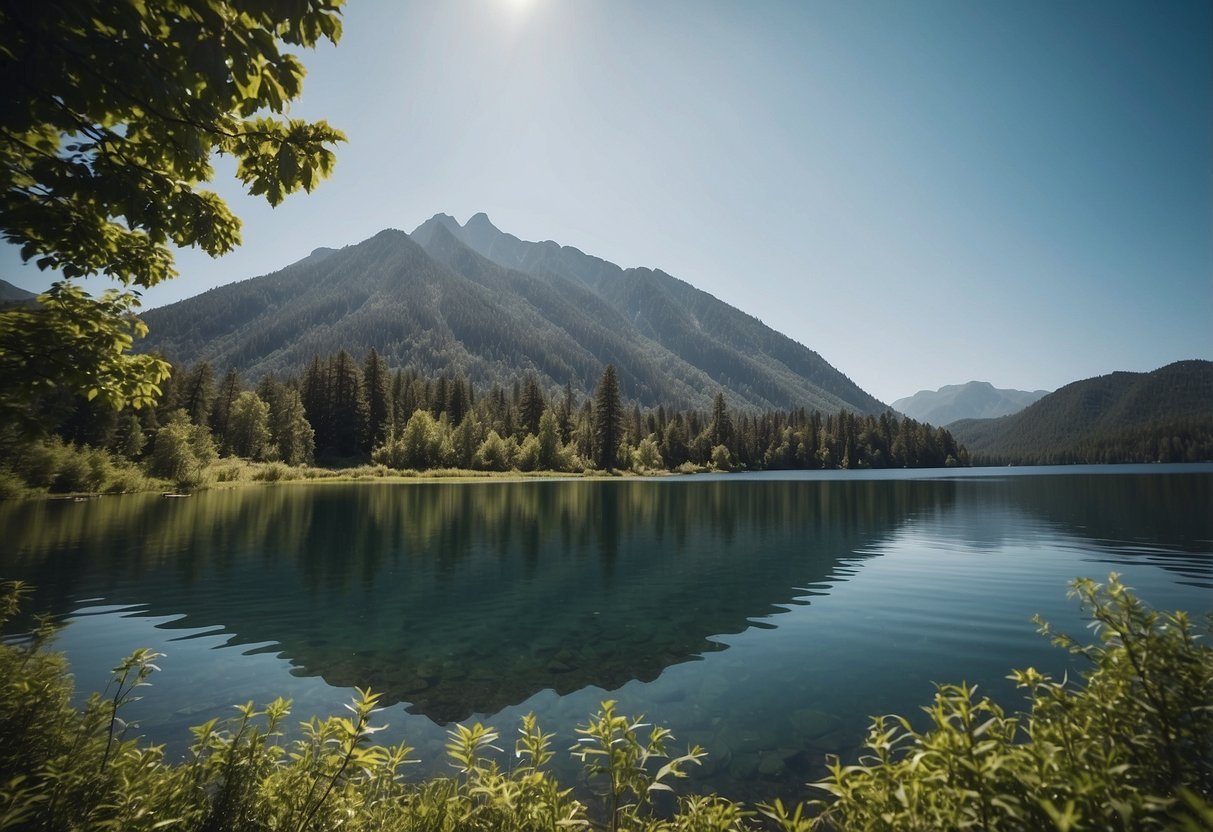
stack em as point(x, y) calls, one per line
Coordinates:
point(764, 617)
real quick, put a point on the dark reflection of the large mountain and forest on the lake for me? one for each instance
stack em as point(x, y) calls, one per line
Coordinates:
point(464, 600)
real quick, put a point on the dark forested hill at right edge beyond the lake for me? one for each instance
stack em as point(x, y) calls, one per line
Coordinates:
point(1123, 417)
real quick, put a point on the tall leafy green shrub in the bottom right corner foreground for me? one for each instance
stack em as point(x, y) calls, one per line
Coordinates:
point(1119, 753)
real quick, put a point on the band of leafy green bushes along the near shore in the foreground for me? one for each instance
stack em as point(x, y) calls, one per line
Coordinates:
point(1131, 749)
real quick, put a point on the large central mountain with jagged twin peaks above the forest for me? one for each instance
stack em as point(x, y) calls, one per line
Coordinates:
point(475, 301)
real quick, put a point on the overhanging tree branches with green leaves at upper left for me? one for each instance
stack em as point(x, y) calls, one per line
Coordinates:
point(113, 115)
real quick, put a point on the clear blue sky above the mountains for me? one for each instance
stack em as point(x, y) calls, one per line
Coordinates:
point(922, 192)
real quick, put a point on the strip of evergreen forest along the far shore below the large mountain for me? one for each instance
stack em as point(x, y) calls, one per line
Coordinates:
point(344, 413)
